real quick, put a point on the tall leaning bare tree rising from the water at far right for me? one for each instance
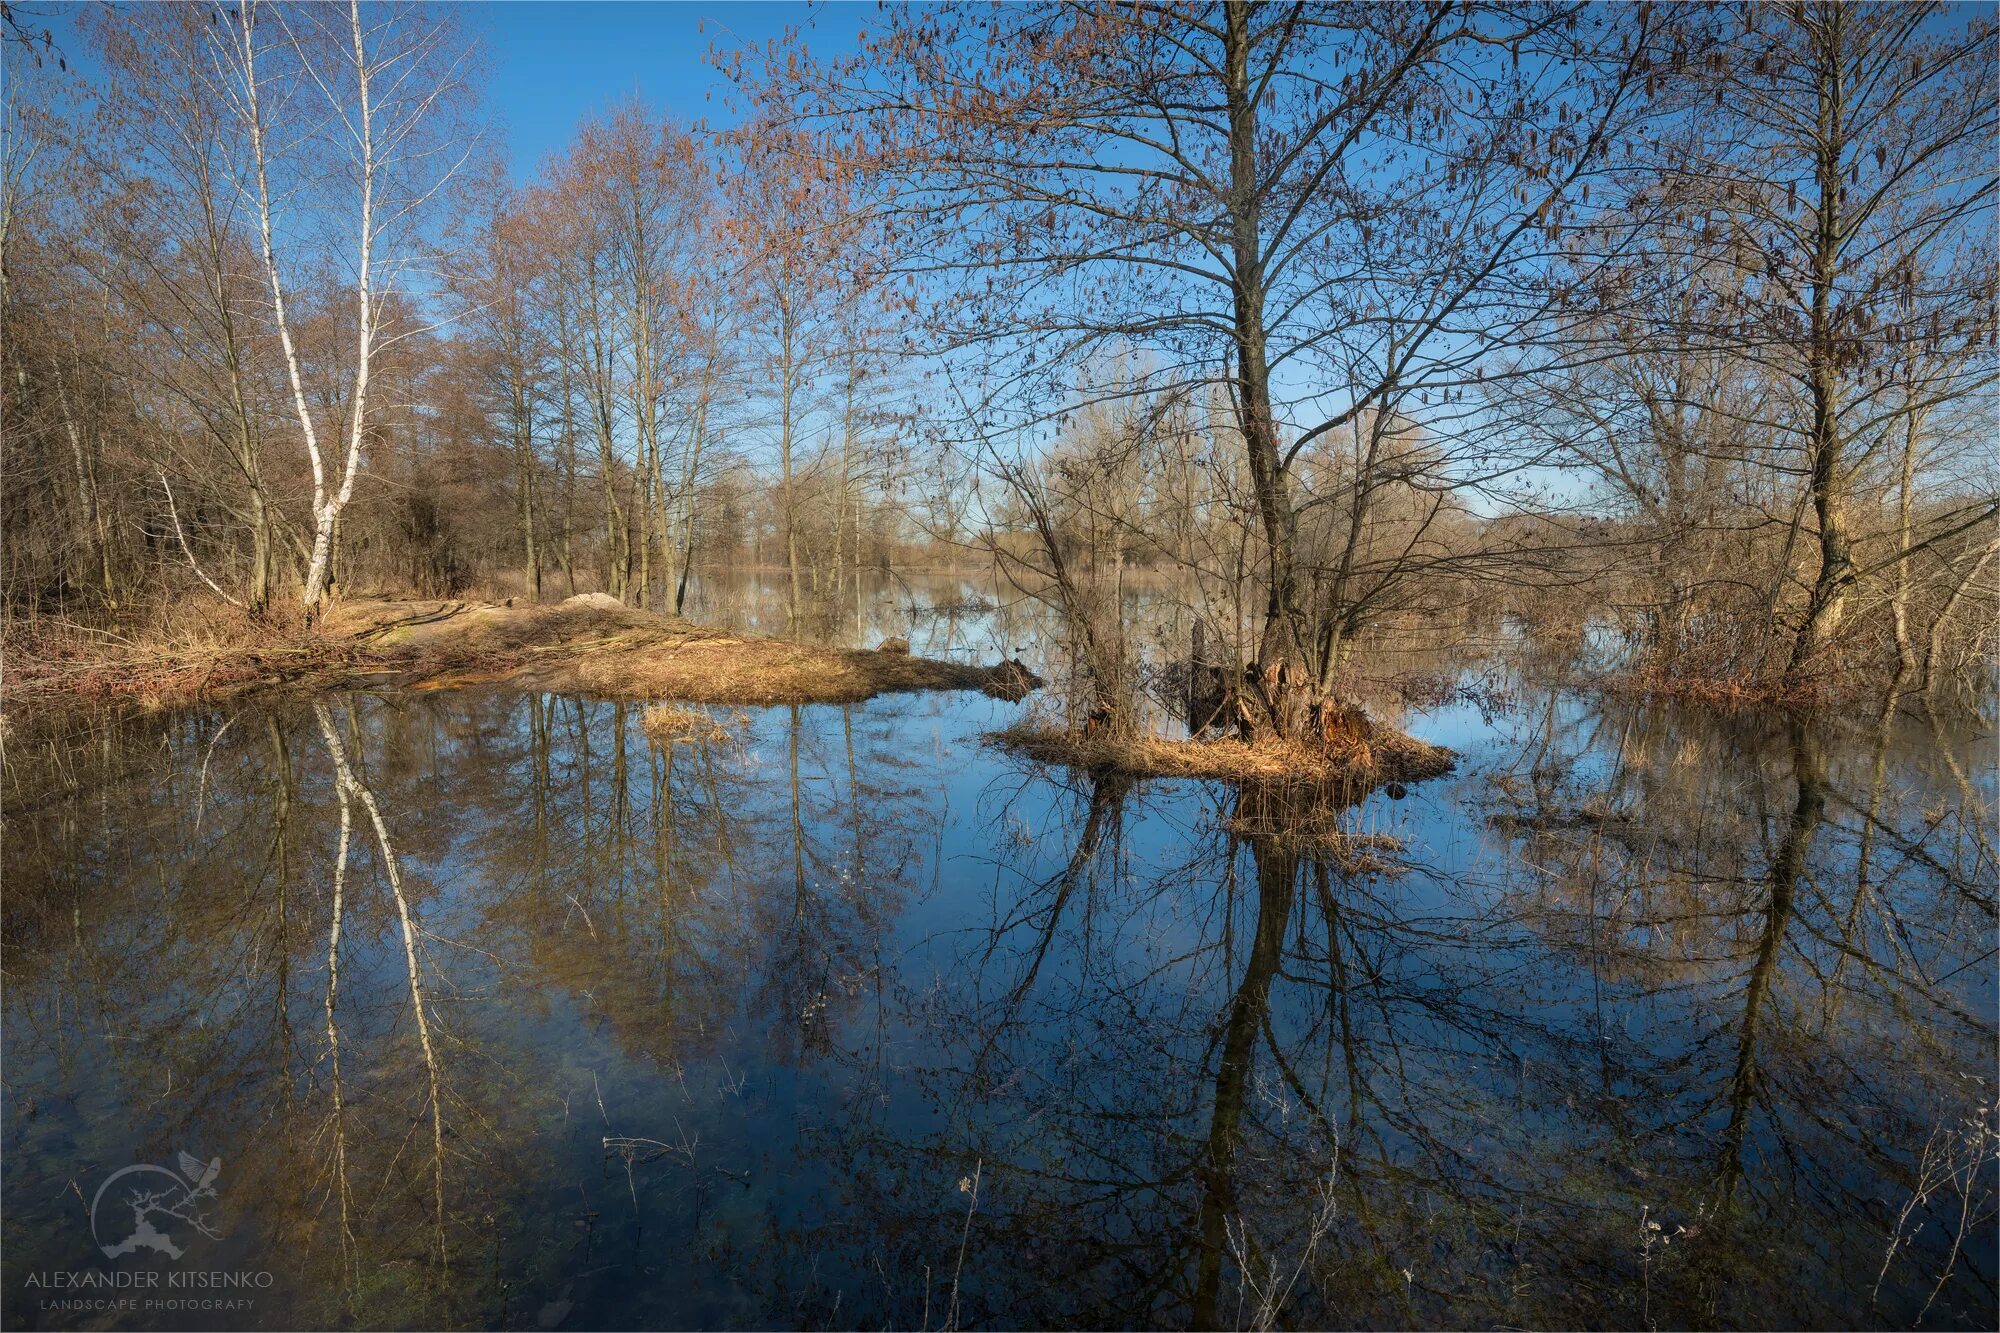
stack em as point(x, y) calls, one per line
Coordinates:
point(1855, 185)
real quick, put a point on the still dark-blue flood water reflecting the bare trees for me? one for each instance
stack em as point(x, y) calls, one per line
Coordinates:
point(849, 1020)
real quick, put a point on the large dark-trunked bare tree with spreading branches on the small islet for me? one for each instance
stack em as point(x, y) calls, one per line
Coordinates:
point(1327, 213)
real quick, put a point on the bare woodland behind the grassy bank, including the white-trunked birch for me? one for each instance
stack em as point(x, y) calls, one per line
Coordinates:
point(277, 325)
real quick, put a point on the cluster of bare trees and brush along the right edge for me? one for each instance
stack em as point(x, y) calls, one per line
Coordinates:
point(1787, 377)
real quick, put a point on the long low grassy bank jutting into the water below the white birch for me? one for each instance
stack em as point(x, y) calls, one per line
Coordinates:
point(585, 645)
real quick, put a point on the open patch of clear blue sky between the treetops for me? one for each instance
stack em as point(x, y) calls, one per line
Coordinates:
point(553, 63)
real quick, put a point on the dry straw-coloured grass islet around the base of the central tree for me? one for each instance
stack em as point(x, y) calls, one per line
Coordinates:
point(1389, 758)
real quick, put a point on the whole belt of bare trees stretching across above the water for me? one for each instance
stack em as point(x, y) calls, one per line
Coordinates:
point(1673, 317)
